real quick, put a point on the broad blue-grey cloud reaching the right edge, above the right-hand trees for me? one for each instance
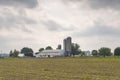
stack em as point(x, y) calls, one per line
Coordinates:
point(99, 30)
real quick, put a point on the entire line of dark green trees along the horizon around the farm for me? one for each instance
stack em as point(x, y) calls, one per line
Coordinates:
point(75, 50)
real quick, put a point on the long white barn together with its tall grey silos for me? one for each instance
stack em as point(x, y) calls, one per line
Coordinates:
point(66, 51)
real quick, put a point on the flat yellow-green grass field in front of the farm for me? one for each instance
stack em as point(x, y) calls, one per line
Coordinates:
point(60, 69)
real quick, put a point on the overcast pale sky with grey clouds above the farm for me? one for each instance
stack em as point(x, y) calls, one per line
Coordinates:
point(39, 23)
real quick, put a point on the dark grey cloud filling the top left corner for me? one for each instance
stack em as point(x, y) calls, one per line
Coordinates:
point(20, 3)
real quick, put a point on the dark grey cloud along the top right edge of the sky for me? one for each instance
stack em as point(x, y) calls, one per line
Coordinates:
point(98, 4)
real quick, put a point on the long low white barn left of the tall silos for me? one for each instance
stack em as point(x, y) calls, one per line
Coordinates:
point(50, 53)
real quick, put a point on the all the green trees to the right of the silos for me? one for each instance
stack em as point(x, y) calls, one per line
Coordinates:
point(104, 51)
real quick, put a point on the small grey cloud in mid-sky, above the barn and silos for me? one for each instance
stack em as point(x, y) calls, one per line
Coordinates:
point(55, 26)
